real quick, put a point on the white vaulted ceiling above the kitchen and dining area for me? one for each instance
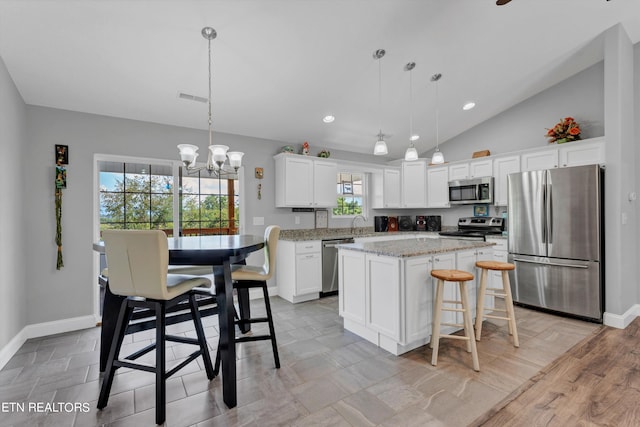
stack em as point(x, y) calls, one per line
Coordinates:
point(279, 66)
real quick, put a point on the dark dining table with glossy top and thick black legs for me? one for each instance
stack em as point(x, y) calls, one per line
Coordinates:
point(219, 252)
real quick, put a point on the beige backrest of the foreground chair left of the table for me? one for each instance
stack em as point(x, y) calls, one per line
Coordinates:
point(138, 261)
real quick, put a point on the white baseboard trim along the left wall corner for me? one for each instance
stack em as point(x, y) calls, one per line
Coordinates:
point(43, 329)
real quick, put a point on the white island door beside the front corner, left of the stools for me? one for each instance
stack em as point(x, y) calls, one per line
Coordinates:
point(383, 295)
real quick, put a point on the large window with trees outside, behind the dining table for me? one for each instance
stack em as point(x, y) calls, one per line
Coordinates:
point(141, 196)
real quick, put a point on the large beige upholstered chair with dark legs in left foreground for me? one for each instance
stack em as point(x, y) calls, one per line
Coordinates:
point(138, 264)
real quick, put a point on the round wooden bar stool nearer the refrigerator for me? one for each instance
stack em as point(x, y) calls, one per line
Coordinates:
point(505, 292)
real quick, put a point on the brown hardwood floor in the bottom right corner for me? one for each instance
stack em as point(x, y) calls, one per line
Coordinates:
point(596, 383)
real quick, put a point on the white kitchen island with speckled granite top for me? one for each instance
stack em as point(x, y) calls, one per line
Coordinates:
point(386, 292)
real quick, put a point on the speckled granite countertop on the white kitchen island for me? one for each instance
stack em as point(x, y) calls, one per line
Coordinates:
point(412, 247)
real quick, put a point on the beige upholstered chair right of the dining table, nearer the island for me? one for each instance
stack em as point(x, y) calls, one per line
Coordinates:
point(248, 277)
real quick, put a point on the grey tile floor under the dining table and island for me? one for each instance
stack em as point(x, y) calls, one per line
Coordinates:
point(329, 377)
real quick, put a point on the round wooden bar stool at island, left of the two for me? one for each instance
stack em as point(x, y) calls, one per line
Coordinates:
point(462, 277)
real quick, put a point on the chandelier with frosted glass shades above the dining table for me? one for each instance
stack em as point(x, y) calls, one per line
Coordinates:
point(218, 154)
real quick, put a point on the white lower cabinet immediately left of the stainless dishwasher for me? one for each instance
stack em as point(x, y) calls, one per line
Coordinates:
point(299, 270)
